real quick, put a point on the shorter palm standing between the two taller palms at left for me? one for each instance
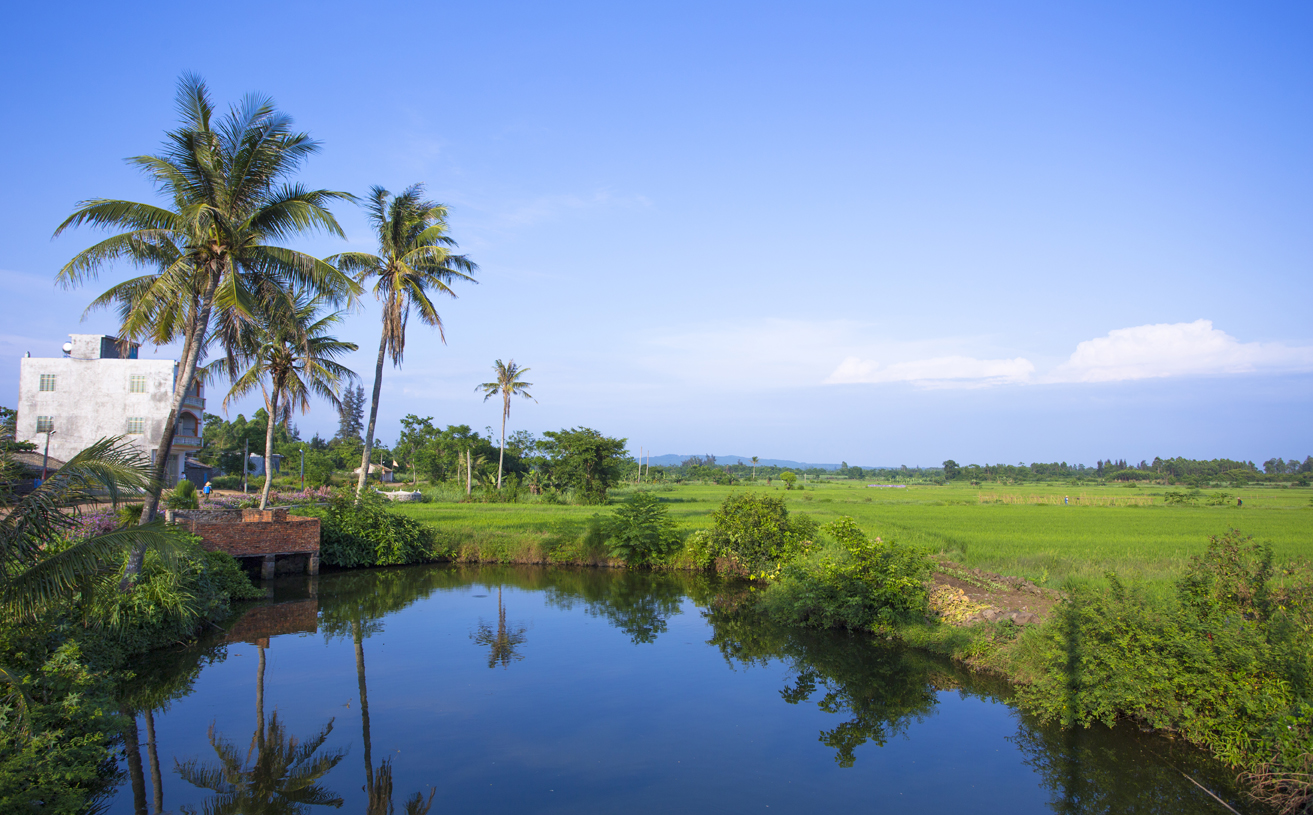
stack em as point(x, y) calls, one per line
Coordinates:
point(290, 355)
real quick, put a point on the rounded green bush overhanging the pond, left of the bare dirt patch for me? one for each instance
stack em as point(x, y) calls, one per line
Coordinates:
point(850, 582)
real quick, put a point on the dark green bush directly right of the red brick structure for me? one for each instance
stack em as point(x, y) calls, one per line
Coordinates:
point(370, 533)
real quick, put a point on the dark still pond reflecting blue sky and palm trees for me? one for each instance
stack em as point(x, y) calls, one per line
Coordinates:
point(526, 690)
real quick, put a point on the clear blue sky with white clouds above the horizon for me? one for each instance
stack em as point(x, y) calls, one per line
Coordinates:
point(883, 233)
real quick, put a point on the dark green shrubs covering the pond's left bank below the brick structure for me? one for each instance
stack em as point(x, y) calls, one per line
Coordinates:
point(60, 732)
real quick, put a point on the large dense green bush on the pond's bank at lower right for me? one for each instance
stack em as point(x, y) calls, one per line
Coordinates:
point(1227, 661)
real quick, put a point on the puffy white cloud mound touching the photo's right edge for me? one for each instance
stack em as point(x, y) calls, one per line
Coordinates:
point(1176, 350)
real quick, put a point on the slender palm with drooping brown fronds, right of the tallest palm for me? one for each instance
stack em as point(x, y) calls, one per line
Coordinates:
point(414, 261)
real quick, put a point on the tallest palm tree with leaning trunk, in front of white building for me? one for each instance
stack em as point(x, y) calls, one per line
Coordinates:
point(211, 250)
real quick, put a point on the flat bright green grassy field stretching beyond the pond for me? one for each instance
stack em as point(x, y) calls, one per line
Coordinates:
point(1021, 531)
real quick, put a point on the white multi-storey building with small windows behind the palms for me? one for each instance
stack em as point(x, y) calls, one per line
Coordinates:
point(100, 389)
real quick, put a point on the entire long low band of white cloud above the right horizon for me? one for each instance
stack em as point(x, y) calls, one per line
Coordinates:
point(1142, 352)
